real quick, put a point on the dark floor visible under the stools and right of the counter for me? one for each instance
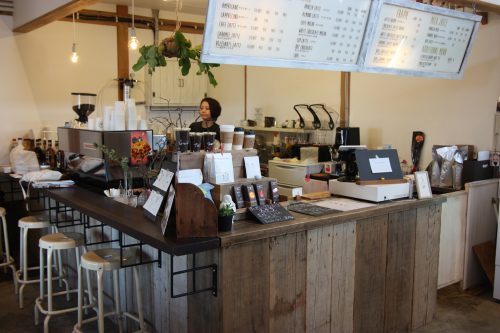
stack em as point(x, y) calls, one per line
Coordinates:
point(457, 312)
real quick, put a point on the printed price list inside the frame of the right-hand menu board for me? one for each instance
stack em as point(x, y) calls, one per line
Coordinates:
point(411, 39)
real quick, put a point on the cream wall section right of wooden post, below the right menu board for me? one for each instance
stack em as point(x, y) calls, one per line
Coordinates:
point(389, 108)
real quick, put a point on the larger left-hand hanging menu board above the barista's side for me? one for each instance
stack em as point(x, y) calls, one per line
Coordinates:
point(326, 34)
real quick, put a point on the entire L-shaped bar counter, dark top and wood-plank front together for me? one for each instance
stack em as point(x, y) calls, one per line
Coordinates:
point(369, 270)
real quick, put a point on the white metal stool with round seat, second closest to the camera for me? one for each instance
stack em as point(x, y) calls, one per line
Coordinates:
point(58, 241)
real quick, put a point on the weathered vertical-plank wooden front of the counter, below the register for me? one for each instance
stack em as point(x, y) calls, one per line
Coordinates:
point(370, 270)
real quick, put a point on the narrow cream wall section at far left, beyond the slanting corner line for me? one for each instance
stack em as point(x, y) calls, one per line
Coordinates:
point(18, 109)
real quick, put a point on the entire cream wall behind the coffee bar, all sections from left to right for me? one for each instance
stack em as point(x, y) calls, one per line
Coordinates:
point(37, 77)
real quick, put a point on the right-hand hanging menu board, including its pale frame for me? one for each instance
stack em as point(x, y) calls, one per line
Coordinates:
point(420, 40)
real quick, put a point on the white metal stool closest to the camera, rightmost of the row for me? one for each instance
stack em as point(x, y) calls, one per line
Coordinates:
point(106, 260)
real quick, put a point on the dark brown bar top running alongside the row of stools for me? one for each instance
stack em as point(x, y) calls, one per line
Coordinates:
point(129, 220)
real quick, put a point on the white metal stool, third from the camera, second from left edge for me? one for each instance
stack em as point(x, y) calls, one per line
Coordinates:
point(26, 224)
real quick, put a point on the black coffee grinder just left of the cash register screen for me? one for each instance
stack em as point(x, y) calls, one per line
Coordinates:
point(345, 168)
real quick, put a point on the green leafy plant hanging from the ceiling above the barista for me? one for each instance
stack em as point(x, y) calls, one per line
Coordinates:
point(177, 46)
